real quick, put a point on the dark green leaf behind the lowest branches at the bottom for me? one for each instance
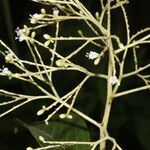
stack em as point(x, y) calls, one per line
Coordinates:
point(61, 130)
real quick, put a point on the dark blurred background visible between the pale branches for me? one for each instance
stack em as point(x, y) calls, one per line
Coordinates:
point(130, 116)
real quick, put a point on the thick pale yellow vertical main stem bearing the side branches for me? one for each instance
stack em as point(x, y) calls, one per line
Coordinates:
point(111, 72)
